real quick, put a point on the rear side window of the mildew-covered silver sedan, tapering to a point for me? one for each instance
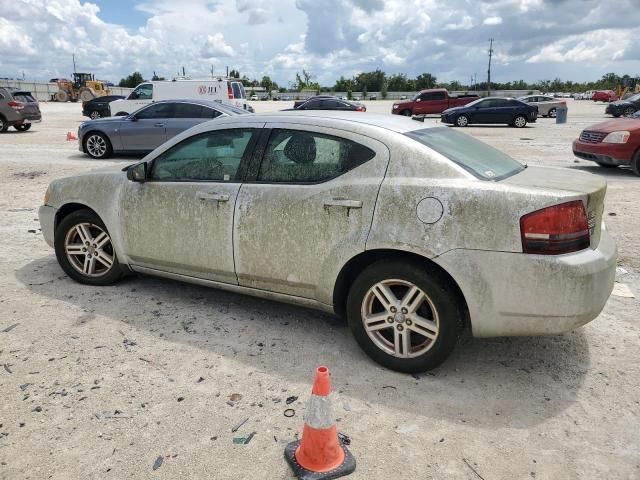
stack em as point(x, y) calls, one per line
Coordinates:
point(295, 156)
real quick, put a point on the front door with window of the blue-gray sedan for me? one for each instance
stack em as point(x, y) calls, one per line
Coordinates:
point(144, 130)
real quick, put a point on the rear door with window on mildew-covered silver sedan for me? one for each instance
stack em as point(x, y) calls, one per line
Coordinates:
point(306, 208)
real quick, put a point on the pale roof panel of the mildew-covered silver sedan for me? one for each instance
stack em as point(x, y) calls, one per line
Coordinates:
point(335, 119)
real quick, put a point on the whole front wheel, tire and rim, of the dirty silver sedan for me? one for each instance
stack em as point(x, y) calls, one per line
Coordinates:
point(96, 265)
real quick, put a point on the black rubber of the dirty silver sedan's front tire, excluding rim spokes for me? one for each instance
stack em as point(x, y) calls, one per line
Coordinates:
point(66, 227)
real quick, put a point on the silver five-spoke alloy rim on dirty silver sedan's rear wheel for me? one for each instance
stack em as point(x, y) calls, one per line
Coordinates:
point(400, 318)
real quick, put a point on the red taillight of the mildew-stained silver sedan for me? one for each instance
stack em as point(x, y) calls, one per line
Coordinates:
point(554, 230)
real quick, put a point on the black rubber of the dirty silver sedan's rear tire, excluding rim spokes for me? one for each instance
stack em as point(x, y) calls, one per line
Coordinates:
point(437, 289)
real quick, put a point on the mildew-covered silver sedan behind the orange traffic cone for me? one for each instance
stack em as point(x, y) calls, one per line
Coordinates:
point(413, 231)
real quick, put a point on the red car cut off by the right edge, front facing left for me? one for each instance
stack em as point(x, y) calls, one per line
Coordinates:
point(612, 143)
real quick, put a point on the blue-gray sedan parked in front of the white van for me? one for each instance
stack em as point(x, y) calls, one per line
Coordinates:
point(147, 128)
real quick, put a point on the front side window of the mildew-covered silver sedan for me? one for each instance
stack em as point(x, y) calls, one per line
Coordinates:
point(212, 156)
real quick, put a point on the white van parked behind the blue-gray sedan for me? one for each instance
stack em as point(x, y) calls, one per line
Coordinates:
point(227, 91)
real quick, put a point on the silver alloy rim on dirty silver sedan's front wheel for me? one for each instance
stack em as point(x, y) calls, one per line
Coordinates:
point(89, 249)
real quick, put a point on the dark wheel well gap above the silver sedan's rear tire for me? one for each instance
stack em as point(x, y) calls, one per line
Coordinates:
point(358, 263)
